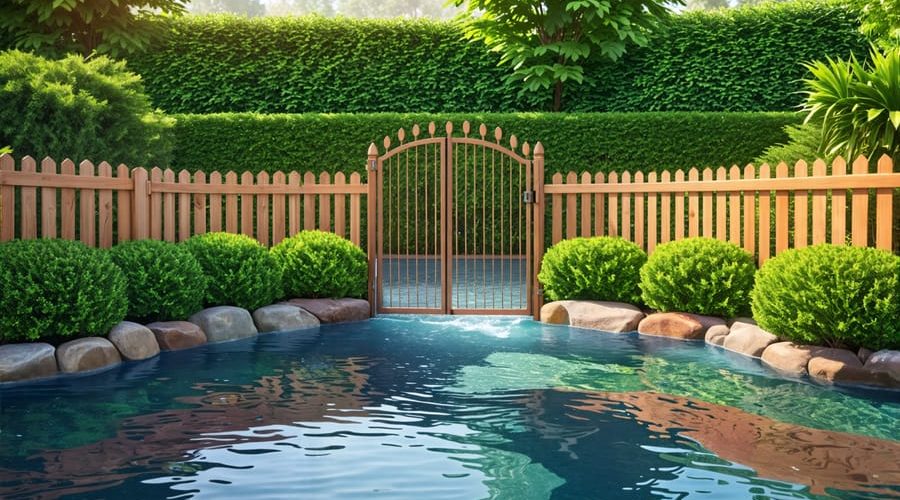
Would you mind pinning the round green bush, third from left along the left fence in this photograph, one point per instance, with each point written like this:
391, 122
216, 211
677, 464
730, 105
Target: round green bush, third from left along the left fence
239, 271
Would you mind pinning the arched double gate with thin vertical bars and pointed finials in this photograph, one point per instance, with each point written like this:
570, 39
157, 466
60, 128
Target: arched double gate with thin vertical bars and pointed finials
454, 223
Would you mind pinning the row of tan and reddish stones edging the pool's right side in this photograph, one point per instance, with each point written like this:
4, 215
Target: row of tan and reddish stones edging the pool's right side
742, 336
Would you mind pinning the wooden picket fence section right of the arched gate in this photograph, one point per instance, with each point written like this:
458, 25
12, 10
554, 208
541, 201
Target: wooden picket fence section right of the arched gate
762, 212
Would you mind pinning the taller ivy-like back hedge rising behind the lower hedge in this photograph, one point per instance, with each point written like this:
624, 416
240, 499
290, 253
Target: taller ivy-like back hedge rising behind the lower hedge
733, 60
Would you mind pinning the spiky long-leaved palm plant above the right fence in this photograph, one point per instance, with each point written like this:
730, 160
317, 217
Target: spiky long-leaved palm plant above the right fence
857, 104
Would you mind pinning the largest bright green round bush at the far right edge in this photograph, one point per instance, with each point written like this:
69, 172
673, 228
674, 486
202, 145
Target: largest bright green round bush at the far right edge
833, 295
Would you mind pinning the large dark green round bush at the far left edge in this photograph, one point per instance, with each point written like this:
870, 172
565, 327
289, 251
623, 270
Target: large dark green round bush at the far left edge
58, 288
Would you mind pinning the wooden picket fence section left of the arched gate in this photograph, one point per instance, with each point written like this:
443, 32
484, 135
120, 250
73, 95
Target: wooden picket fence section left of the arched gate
102, 206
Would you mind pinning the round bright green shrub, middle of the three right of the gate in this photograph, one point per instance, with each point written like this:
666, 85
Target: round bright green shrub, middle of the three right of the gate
698, 275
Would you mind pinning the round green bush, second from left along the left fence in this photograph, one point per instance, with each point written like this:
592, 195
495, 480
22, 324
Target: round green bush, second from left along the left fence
165, 281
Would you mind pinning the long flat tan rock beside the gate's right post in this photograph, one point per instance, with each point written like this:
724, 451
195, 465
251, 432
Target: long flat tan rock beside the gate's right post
614, 317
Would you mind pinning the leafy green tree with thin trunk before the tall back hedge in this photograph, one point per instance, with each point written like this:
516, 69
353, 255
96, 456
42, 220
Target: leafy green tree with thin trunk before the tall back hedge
546, 42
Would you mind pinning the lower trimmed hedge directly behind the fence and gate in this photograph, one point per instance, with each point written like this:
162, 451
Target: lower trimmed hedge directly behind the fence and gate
594, 142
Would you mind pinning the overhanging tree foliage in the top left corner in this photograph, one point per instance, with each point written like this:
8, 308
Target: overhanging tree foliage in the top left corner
55, 27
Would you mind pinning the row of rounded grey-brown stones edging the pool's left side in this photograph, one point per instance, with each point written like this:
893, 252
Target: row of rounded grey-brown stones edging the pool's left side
132, 341
